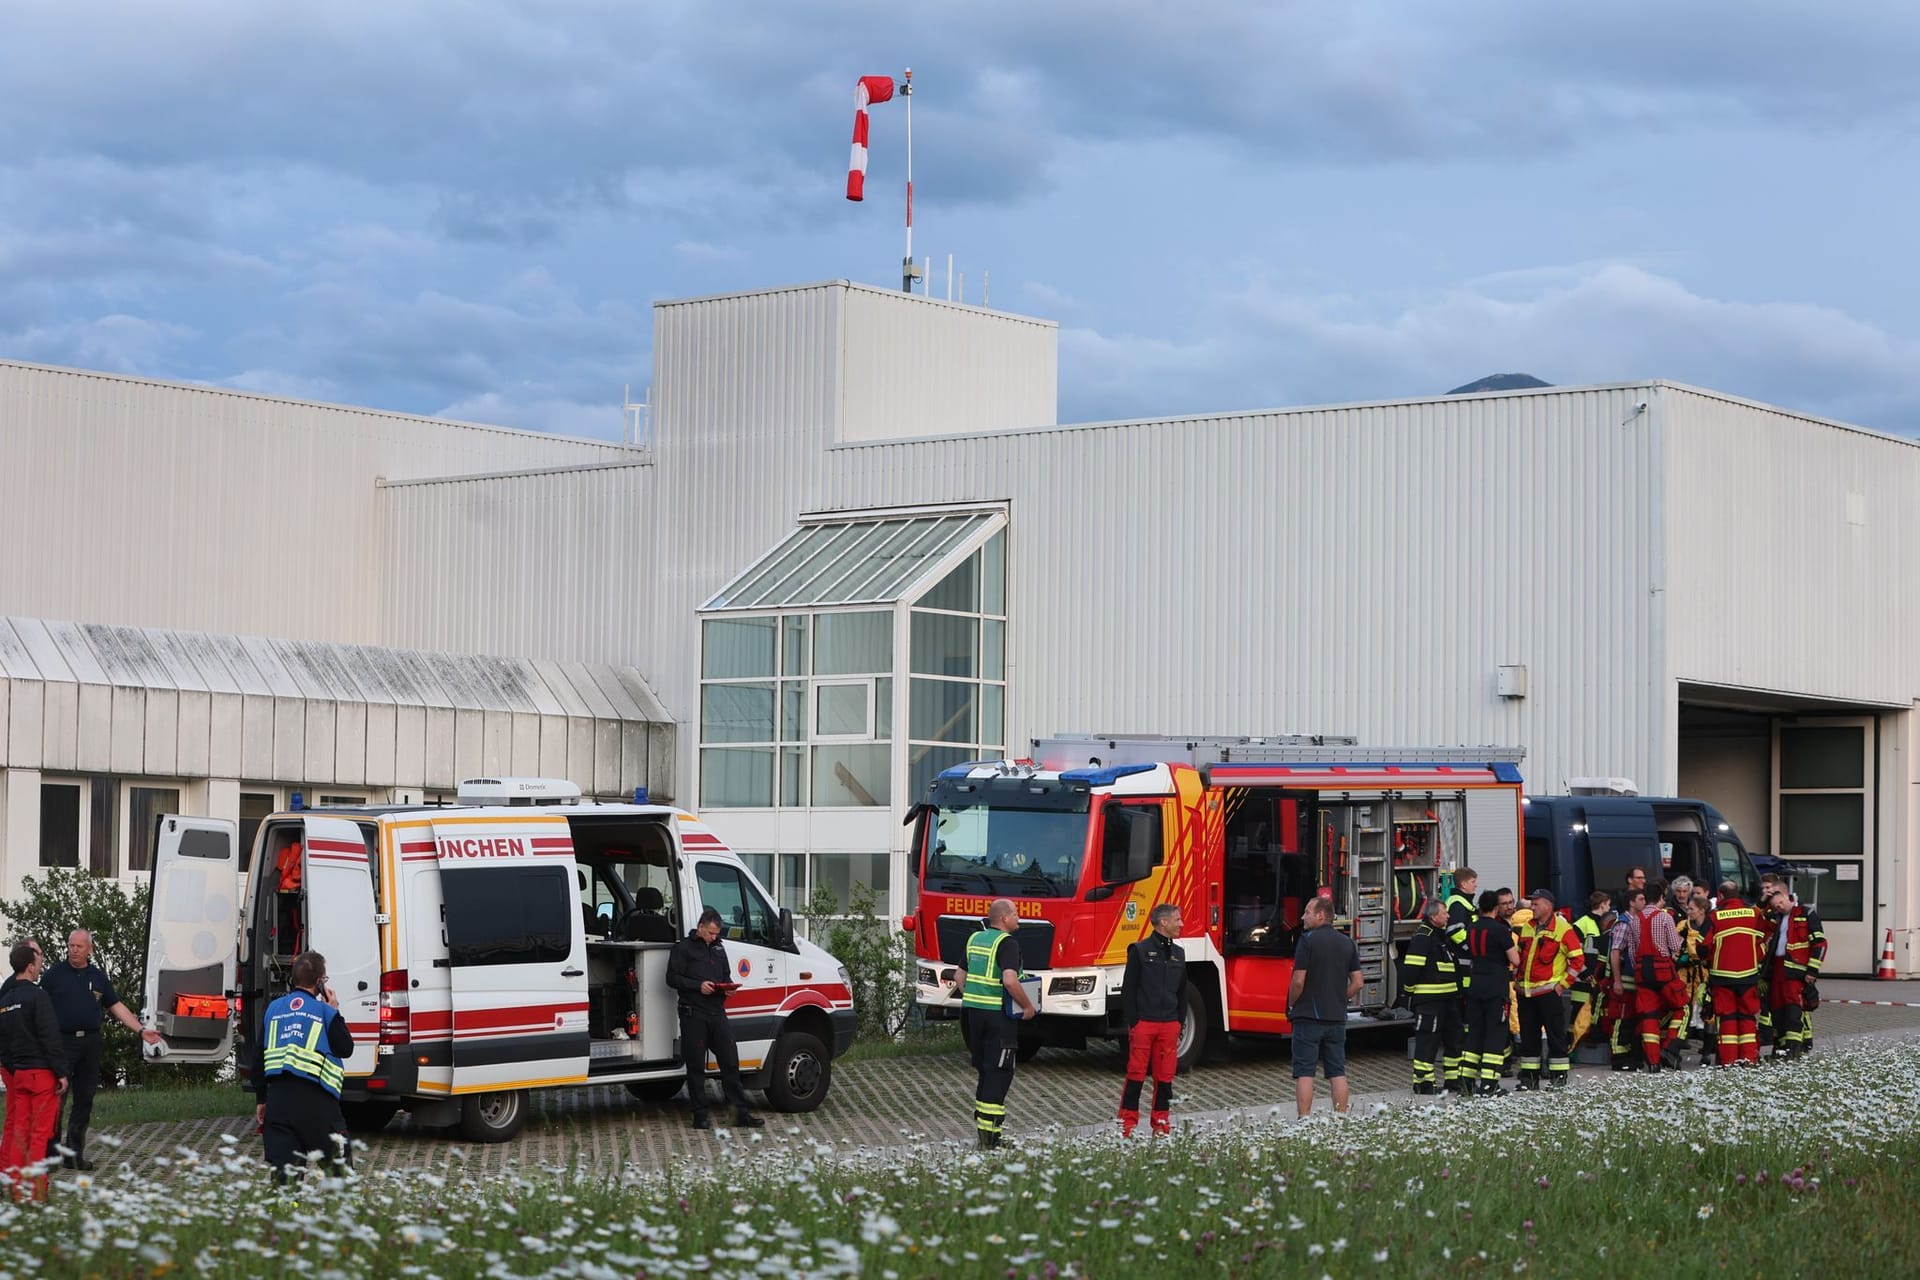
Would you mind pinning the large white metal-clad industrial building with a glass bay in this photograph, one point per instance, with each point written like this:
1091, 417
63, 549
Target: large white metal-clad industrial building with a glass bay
855, 548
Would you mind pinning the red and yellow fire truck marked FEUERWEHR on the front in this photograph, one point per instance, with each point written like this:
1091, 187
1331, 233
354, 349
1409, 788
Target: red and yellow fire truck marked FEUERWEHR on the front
1241, 832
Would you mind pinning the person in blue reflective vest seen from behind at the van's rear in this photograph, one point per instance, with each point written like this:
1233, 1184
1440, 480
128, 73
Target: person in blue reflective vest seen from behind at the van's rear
299, 1070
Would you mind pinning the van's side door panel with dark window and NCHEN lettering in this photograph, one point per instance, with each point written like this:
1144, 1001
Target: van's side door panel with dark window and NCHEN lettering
517, 951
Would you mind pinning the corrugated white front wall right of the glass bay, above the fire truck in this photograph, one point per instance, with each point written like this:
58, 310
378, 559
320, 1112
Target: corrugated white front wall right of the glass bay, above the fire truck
1330, 571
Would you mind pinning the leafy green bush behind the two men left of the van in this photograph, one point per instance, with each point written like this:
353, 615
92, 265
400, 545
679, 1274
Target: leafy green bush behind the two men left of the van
60, 901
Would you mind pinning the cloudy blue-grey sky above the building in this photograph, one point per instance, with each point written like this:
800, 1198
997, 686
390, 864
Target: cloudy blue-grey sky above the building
468, 206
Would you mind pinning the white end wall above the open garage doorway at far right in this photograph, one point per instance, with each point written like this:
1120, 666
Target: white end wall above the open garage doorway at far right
1792, 542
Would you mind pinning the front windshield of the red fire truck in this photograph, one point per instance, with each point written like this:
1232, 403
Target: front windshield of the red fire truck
1024, 840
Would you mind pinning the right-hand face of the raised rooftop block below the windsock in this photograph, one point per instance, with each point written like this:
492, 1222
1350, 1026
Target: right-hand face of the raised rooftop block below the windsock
924, 367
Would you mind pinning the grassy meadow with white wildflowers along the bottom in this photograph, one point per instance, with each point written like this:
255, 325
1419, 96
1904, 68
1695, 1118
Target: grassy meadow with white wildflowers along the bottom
1779, 1172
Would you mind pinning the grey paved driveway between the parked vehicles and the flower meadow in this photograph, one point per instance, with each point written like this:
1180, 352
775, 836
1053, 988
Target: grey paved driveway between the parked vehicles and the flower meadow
919, 1099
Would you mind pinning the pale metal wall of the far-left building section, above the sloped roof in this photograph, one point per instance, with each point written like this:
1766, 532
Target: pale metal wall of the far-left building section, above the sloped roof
168, 506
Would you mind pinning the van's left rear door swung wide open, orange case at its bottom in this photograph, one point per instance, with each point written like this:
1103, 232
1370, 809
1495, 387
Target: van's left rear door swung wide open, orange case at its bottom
193, 932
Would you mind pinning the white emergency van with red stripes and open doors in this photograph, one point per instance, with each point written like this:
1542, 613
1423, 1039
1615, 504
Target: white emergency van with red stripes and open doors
506, 943
